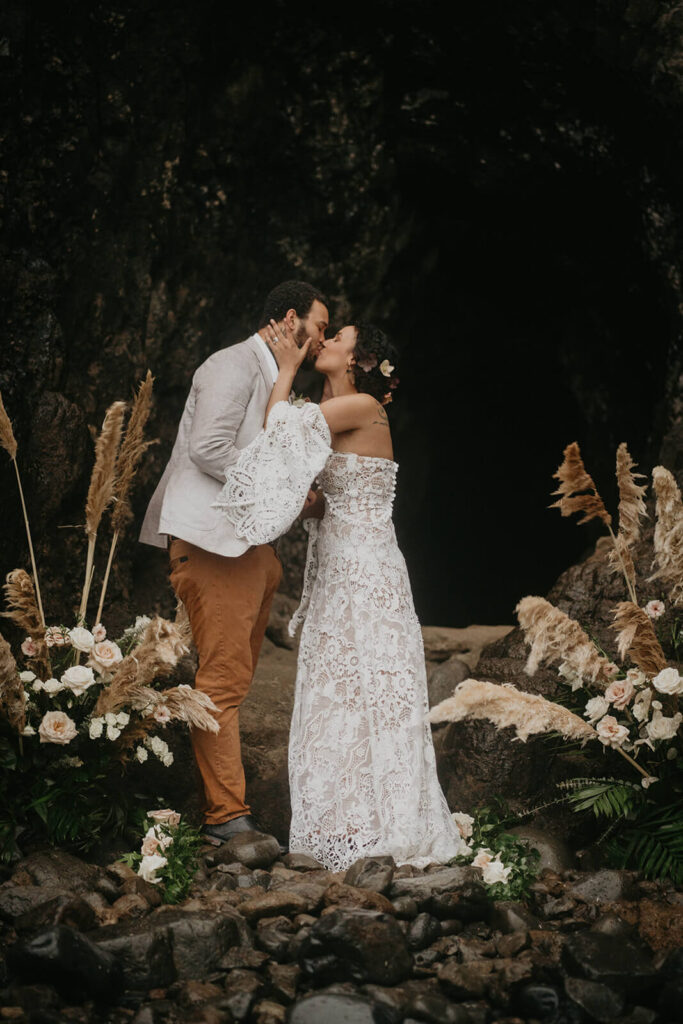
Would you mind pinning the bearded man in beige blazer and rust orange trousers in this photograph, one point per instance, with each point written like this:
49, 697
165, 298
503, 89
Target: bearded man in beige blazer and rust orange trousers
226, 585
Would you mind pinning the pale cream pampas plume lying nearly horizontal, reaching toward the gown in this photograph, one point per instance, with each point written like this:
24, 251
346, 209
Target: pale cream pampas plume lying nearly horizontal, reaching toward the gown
505, 706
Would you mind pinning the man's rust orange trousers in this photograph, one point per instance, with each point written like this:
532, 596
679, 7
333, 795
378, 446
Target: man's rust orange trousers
228, 602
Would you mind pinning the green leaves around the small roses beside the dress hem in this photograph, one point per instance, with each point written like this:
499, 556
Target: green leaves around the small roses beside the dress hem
489, 832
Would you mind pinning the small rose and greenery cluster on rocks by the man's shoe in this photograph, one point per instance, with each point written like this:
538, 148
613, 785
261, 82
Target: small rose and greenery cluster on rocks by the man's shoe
168, 857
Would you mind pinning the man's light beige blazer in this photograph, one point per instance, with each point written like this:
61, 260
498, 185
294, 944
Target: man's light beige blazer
224, 413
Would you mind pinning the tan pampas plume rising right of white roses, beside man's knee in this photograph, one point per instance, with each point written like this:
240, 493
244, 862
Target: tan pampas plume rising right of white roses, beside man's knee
154, 659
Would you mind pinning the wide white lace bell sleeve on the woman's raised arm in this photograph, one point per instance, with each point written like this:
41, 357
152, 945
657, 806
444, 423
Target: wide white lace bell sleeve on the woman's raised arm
267, 488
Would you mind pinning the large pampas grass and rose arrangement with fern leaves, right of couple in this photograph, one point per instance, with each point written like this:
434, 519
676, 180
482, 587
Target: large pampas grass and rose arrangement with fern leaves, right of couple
630, 706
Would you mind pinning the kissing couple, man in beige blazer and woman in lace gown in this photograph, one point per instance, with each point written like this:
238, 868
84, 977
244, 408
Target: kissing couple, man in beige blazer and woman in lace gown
362, 764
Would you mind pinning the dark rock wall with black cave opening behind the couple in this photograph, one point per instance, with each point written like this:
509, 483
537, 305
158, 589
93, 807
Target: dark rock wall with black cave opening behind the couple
498, 186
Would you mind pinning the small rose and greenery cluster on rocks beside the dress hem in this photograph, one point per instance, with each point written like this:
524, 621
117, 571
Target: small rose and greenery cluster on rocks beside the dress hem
507, 864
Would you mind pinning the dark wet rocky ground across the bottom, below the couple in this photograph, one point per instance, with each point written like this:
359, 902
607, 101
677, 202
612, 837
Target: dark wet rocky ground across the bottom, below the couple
267, 938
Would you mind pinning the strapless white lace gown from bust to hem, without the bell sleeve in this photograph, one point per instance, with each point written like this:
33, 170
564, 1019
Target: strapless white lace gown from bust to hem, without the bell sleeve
363, 771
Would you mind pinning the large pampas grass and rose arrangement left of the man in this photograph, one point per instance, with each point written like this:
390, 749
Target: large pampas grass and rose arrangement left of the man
82, 708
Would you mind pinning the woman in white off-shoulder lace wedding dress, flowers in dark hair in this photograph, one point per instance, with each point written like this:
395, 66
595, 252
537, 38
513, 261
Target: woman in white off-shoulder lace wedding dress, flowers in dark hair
363, 772
